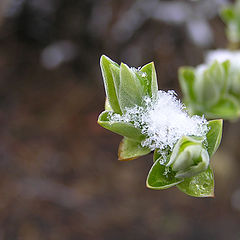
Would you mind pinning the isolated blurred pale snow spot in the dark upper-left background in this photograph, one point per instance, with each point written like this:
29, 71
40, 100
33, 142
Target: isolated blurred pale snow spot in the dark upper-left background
57, 53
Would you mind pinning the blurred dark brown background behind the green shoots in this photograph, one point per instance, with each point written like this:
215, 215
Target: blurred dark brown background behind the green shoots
59, 174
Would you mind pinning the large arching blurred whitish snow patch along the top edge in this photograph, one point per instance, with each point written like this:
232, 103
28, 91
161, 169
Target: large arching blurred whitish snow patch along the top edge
192, 14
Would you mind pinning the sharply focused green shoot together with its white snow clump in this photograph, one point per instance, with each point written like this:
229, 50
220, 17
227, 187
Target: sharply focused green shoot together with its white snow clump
153, 120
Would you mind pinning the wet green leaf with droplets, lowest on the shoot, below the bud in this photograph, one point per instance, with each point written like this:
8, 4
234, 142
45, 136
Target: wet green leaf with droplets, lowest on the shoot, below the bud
201, 185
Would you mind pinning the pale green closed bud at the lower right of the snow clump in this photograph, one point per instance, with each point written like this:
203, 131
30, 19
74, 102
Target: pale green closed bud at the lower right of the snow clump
189, 157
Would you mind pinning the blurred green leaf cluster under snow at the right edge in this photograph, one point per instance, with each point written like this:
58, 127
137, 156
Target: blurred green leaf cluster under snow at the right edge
209, 90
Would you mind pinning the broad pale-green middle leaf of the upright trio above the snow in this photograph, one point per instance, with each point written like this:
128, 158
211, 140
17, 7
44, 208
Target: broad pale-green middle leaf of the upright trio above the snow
130, 90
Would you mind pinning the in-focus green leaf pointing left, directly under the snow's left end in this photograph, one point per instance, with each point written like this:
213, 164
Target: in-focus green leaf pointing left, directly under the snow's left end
124, 129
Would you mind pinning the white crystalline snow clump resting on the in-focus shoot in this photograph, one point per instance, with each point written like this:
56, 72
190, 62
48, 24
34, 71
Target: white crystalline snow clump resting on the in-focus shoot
163, 121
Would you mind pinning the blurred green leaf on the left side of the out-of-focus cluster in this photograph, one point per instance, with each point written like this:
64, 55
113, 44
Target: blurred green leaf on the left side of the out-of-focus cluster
186, 78
